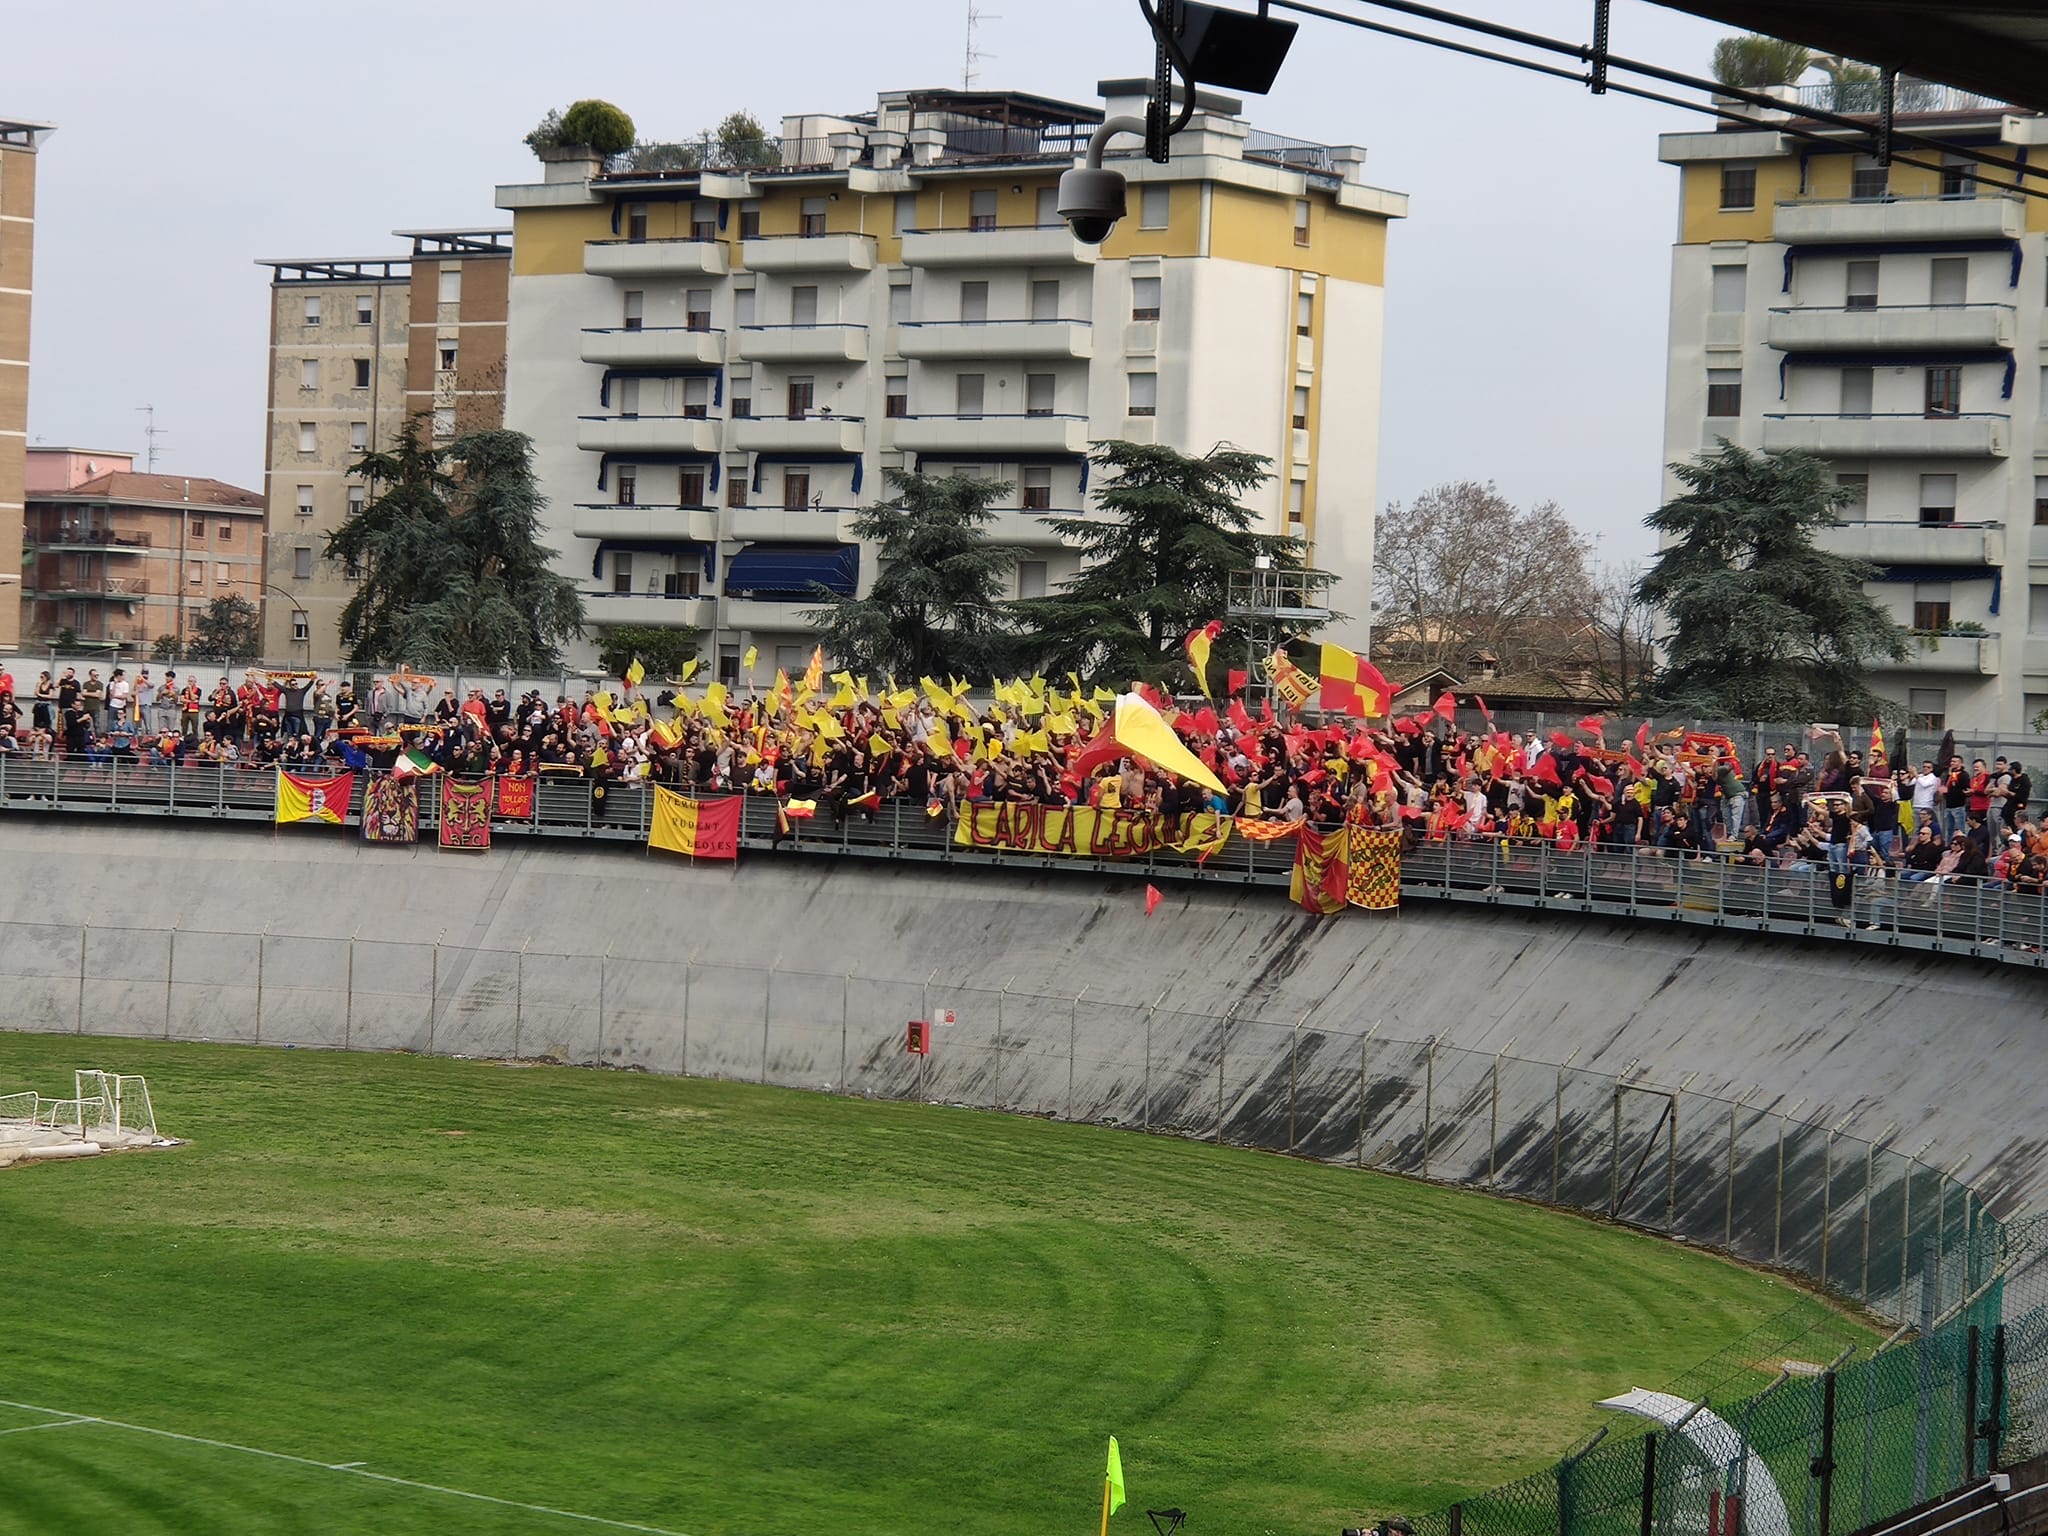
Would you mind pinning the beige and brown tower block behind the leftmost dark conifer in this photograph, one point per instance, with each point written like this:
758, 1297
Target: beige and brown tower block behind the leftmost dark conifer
357, 347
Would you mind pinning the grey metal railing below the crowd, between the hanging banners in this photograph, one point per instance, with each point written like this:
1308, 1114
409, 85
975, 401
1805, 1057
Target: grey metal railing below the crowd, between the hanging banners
1955, 916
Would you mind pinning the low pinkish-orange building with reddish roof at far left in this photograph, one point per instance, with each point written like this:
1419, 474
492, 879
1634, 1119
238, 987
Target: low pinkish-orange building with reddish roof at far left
120, 560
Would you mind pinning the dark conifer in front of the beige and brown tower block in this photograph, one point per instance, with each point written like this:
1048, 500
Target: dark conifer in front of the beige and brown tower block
447, 558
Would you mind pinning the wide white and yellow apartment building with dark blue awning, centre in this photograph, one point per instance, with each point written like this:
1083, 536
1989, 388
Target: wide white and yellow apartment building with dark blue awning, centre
722, 364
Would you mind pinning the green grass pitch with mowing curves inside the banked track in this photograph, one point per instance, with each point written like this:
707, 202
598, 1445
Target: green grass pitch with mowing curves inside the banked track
718, 1310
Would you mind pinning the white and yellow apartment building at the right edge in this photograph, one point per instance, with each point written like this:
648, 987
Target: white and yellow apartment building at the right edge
1891, 321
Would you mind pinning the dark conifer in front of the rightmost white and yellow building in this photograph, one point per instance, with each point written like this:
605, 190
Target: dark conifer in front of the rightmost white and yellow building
1764, 626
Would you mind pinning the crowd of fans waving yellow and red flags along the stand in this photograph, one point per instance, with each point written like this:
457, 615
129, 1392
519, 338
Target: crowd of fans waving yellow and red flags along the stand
1807, 806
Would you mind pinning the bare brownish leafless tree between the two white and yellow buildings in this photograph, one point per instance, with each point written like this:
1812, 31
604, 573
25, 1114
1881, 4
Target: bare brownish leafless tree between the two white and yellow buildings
1465, 570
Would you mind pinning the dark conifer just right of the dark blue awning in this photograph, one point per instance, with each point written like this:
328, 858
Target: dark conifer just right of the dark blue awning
939, 599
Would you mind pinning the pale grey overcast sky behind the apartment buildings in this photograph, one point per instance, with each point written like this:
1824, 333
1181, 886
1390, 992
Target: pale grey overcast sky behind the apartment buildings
1527, 292
